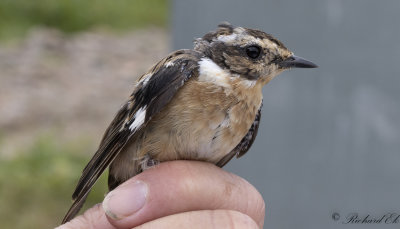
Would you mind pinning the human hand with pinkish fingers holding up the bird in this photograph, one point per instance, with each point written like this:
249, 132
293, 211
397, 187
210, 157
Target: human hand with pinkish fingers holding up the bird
178, 194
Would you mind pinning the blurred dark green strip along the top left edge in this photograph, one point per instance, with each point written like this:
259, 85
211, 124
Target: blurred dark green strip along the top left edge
18, 16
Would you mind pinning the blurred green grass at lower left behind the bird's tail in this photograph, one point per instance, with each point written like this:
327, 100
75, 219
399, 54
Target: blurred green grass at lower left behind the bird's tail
36, 185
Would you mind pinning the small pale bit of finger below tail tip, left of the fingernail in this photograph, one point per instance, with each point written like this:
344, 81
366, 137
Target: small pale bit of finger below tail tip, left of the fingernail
92, 218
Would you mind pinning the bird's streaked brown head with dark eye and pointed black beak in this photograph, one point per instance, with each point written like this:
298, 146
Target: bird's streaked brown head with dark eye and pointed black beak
249, 53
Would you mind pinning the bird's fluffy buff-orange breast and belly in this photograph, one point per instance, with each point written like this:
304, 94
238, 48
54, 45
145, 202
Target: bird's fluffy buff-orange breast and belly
202, 122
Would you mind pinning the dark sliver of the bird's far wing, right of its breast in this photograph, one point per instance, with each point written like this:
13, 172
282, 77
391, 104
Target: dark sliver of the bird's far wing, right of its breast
246, 142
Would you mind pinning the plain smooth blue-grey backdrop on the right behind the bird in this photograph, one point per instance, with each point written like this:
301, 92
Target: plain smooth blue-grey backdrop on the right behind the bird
329, 137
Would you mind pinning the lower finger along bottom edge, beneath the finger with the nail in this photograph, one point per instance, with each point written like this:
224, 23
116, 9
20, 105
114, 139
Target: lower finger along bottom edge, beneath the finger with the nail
203, 219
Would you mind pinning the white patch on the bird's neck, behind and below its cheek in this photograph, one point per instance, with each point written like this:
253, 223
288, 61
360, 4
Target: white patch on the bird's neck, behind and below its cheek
211, 72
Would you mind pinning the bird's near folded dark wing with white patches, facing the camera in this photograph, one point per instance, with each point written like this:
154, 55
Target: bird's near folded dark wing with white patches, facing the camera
153, 91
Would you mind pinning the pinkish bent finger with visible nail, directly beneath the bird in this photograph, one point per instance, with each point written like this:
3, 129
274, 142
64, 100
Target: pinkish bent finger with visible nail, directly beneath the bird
181, 186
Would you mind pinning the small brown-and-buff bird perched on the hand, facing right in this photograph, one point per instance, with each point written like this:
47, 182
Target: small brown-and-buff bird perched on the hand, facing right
195, 104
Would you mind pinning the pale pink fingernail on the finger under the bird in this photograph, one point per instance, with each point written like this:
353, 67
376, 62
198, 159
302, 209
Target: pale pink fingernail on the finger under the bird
125, 200
